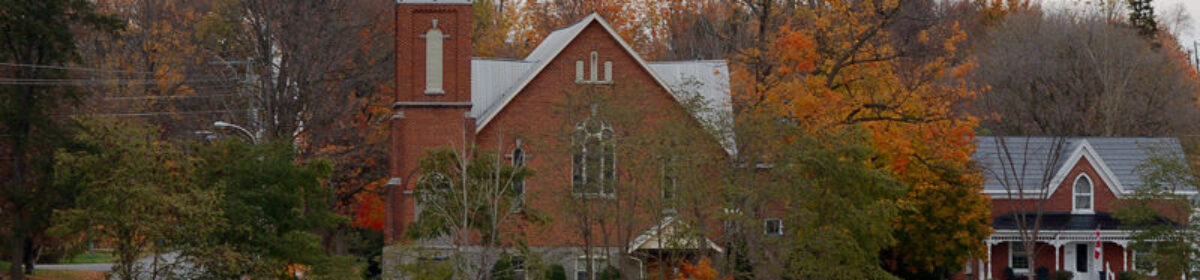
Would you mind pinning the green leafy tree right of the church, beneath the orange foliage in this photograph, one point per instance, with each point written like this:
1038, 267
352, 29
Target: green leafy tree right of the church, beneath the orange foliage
844, 205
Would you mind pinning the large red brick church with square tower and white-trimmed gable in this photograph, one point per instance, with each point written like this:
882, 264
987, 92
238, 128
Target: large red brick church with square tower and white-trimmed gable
446, 98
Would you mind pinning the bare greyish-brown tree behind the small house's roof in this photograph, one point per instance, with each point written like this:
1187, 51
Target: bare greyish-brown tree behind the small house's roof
1091, 76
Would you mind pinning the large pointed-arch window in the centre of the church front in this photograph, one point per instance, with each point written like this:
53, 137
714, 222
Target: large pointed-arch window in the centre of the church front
593, 158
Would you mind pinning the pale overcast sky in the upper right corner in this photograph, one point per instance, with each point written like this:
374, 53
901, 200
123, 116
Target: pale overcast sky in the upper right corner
1166, 11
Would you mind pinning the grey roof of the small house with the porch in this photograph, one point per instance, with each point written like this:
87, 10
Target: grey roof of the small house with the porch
1035, 162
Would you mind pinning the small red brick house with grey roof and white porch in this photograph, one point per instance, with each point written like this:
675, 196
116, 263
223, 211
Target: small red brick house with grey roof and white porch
1075, 186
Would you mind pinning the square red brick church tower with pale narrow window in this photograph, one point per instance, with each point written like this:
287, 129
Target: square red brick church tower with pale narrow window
434, 52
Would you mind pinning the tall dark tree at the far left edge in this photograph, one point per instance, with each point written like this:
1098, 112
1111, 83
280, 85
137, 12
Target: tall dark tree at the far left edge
40, 40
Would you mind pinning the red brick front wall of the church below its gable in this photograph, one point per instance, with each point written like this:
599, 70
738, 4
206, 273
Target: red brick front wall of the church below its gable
537, 116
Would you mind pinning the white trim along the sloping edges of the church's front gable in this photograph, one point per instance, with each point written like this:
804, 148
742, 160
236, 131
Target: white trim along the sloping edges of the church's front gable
542, 65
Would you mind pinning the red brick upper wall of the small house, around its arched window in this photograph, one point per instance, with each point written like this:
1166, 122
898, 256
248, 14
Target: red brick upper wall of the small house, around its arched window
1061, 200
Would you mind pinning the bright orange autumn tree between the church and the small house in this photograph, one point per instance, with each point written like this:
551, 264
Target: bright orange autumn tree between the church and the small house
871, 65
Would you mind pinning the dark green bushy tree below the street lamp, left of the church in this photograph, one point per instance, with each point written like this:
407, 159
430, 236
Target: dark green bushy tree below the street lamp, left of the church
273, 207
